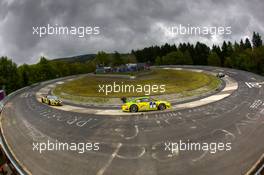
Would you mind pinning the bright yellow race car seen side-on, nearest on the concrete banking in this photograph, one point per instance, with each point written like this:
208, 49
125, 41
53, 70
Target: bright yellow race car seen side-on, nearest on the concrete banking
145, 104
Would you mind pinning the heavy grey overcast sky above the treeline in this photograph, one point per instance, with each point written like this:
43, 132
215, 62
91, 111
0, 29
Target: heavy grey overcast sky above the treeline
124, 24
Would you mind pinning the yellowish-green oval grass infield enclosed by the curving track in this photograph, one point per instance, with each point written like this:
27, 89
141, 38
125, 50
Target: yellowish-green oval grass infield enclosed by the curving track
176, 81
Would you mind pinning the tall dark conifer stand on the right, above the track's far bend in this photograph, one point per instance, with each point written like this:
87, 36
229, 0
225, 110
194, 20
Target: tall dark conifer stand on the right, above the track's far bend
246, 55
